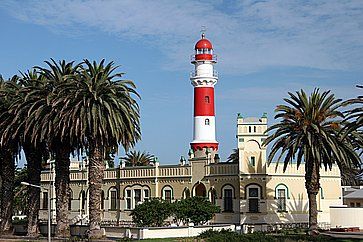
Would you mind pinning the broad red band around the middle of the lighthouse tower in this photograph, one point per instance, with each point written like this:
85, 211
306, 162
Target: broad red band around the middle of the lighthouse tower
203, 101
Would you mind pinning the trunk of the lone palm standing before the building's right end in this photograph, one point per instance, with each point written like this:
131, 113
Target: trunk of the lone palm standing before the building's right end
312, 185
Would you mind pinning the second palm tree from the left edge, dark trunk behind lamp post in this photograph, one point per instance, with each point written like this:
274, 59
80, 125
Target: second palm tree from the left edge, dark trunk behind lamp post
35, 152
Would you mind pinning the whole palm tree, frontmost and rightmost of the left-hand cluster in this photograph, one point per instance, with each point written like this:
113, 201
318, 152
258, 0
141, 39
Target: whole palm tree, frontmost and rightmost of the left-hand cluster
100, 113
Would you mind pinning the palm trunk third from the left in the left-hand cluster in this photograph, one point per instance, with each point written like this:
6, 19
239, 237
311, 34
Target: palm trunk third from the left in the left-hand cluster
62, 180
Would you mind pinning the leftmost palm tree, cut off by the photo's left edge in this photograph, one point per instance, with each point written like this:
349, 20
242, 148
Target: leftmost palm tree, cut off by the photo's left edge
9, 149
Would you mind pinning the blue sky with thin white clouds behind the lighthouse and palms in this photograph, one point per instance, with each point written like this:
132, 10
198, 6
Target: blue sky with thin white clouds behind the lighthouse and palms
265, 49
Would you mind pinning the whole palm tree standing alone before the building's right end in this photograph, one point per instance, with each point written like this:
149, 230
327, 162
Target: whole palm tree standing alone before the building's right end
309, 132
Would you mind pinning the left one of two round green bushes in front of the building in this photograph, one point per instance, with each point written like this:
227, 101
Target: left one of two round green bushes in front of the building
151, 213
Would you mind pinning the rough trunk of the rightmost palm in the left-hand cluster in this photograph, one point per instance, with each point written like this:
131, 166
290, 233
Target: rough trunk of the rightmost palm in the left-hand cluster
95, 176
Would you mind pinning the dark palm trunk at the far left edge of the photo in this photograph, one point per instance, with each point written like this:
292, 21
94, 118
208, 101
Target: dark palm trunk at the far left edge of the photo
8, 177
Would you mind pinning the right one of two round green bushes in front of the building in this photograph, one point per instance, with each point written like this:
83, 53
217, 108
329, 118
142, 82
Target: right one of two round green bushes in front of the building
195, 209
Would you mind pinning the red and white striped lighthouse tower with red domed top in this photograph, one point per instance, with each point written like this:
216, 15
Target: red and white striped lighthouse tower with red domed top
203, 78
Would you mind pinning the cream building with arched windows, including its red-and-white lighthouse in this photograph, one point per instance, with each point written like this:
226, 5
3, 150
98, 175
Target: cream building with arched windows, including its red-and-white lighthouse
248, 191
